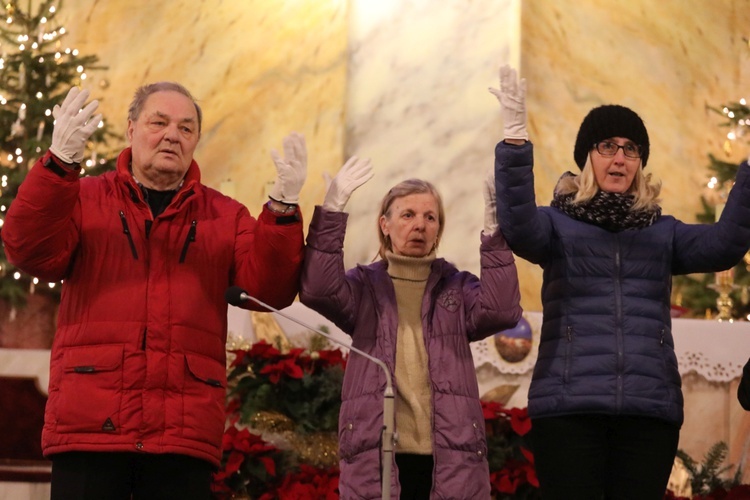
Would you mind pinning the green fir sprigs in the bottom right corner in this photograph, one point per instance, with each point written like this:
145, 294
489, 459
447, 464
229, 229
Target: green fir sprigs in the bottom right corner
706, 477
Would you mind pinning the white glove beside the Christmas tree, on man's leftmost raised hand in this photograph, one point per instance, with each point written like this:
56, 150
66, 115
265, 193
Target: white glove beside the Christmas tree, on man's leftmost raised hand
73, 126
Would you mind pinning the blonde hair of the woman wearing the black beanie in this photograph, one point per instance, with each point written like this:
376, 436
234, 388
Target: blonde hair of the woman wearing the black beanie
645, 192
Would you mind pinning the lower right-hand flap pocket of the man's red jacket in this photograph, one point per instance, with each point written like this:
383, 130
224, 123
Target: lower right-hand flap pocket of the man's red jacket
203, 398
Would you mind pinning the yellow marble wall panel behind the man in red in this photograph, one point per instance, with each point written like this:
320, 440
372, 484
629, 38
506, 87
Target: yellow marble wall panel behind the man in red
259, 69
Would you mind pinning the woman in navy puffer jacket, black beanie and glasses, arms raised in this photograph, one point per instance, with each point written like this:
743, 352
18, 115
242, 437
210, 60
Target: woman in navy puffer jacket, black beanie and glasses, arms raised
605, 398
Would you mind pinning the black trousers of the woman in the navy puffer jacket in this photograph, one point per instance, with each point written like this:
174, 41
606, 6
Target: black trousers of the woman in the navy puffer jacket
596, 457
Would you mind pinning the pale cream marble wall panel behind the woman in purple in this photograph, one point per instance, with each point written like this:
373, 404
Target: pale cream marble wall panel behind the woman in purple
418, 105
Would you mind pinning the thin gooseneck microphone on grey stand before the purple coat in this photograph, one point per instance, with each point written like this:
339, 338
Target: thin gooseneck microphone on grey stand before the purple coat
235, 296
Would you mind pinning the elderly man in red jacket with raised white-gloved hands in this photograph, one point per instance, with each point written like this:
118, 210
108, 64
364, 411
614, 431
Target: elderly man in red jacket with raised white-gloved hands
137, 378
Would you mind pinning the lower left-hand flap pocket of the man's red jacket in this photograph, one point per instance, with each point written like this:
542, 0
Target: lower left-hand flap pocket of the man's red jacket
90, 389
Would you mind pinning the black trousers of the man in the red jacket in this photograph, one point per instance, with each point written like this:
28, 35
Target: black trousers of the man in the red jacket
126, 476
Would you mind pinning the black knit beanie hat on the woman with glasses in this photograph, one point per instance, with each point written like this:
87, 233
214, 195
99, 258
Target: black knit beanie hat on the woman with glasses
608, 121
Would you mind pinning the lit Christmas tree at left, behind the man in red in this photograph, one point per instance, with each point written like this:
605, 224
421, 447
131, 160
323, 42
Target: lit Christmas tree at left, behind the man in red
36, 72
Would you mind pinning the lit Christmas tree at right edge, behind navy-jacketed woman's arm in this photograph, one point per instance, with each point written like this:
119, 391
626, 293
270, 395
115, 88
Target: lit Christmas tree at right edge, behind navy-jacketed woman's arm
698, 294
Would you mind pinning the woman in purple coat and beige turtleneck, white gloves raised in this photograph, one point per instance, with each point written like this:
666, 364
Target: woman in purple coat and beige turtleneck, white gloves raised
417, 313
